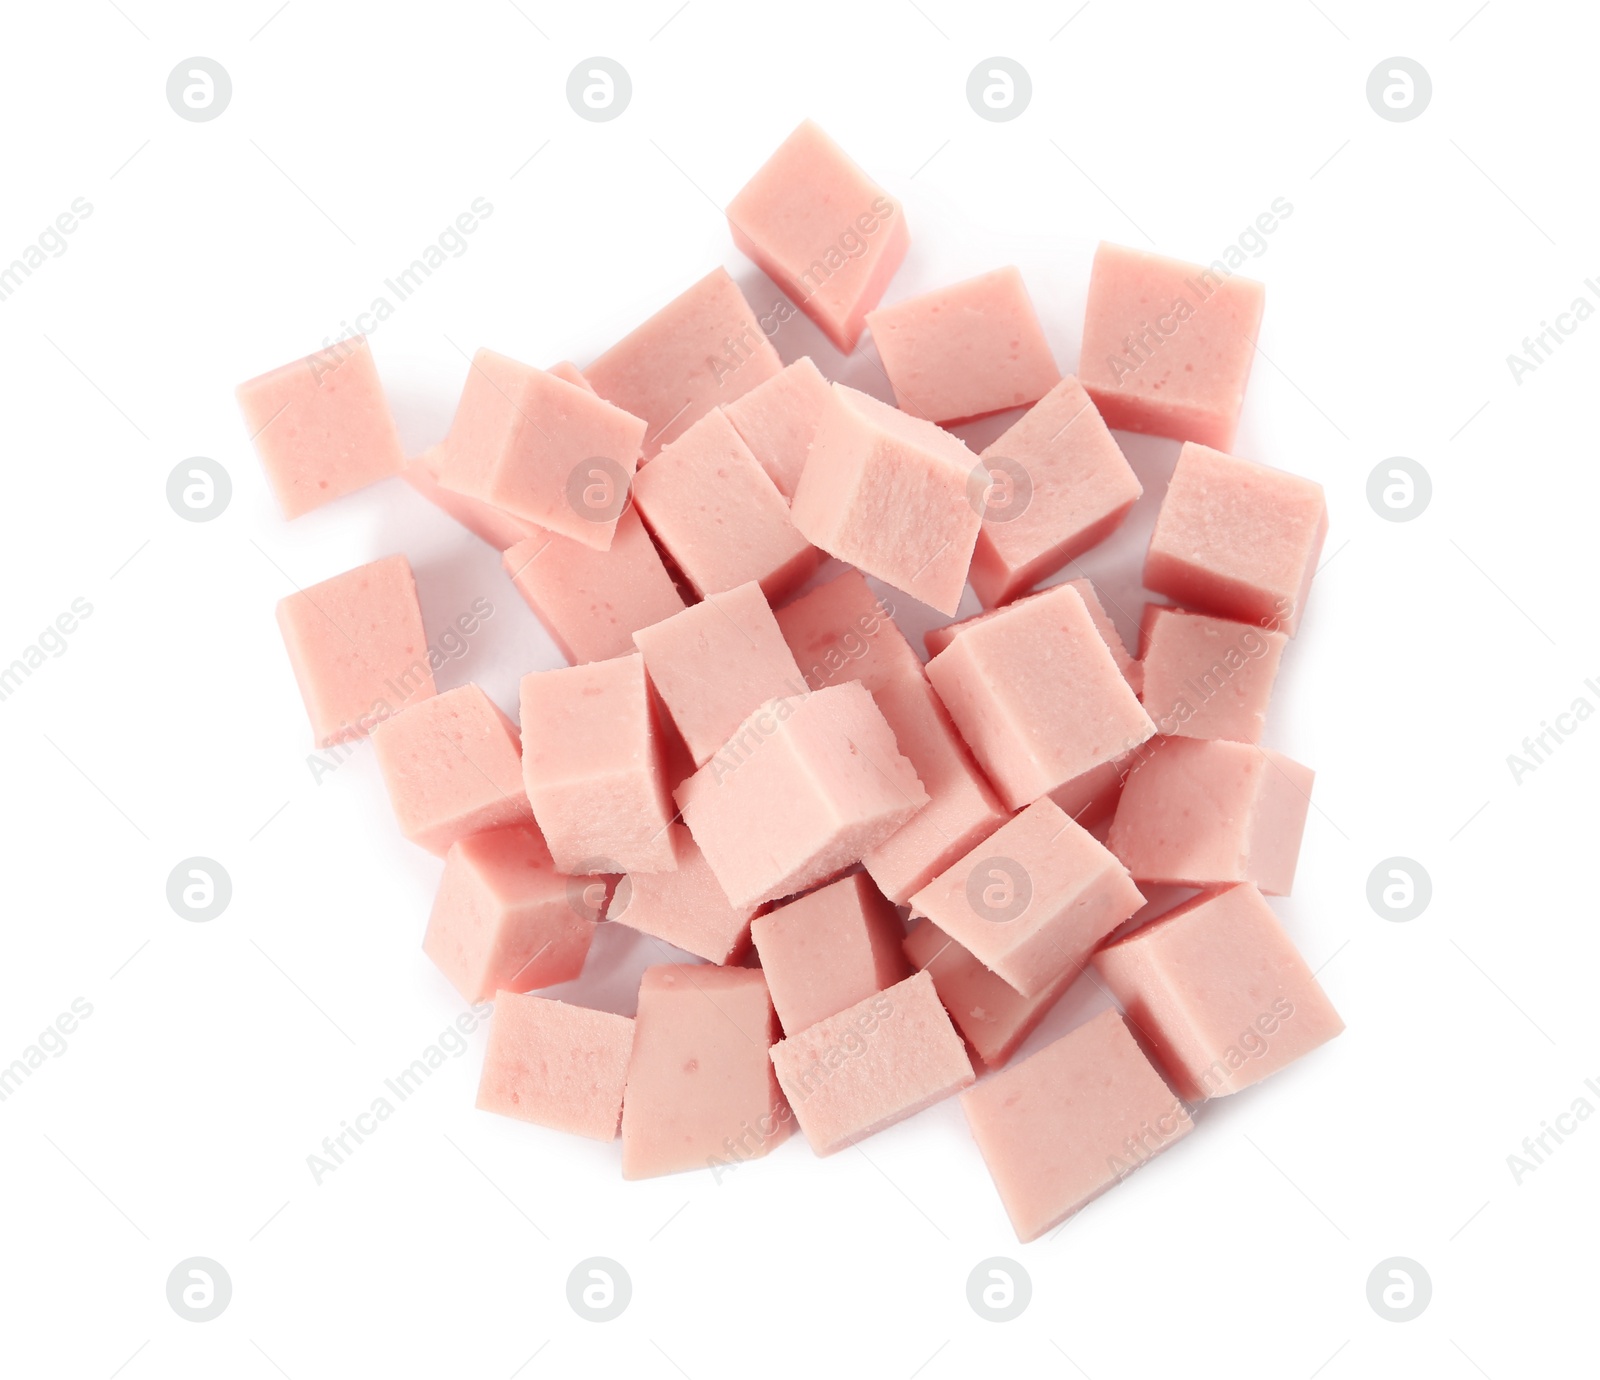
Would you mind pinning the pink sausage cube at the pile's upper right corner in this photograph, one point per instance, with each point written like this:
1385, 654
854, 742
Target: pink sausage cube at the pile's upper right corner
1167, 347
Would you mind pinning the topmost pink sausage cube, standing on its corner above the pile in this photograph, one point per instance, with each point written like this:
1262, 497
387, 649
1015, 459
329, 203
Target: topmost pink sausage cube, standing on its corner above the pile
823, 231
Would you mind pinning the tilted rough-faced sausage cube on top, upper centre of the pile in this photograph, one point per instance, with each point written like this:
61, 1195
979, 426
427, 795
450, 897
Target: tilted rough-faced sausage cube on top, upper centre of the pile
892, 494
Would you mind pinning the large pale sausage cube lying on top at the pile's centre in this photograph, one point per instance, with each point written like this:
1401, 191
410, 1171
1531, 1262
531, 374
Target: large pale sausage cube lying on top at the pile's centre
802, 792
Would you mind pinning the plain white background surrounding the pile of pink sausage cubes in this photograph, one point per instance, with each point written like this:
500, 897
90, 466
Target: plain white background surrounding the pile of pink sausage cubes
218, 1056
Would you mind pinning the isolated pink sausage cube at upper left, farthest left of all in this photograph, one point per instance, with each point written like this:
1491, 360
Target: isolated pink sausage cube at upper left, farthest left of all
322, 427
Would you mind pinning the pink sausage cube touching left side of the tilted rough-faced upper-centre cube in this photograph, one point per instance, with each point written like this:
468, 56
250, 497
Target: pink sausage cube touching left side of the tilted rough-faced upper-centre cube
718, 515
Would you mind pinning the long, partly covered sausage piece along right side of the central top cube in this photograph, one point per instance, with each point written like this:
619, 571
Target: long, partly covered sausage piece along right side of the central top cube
842, 632
